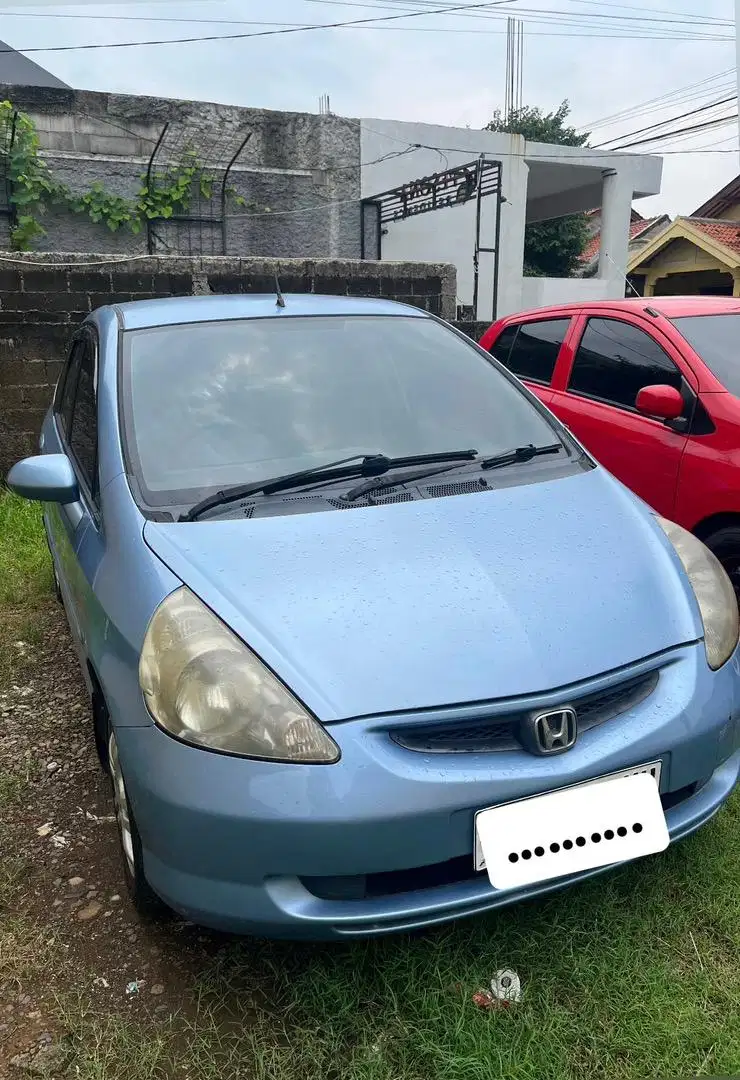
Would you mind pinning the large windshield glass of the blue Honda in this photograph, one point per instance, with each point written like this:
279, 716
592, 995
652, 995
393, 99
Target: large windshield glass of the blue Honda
208, 406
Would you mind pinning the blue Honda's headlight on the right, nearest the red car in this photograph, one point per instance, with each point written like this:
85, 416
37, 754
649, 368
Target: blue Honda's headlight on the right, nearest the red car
714, 590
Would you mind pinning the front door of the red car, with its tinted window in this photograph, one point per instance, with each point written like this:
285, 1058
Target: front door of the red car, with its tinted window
596, 398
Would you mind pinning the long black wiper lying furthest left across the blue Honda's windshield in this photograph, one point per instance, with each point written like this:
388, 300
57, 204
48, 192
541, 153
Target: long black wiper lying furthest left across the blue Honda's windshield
369, 465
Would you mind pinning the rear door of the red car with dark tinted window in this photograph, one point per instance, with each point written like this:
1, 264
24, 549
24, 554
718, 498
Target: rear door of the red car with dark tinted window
530, 349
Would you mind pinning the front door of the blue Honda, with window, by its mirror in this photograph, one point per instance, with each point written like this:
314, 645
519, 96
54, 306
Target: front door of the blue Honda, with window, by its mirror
75, 530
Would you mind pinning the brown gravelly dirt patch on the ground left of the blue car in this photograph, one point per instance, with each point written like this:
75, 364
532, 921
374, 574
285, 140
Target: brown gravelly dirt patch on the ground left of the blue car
69, 928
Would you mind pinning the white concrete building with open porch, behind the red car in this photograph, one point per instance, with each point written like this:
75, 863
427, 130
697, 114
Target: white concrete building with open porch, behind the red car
537, 182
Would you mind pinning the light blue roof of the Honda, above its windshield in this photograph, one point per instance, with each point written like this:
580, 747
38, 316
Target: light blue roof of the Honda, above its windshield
141, 315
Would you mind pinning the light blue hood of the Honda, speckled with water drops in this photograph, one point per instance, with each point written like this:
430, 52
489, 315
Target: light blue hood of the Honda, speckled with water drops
445, 601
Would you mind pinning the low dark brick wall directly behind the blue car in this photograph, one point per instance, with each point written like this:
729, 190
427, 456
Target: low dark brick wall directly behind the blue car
42, 305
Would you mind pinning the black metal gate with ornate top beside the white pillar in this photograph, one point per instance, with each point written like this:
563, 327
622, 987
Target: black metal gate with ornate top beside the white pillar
454, 187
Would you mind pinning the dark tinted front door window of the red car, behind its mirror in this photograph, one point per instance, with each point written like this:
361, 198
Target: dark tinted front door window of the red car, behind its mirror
616, 360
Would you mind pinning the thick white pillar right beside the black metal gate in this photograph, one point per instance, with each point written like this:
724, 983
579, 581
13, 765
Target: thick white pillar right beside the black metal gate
515, 182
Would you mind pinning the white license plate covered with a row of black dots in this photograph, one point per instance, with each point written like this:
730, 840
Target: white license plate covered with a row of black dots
609, 820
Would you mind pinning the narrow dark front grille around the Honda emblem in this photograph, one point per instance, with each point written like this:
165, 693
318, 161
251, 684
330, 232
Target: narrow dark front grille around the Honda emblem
497, 734
